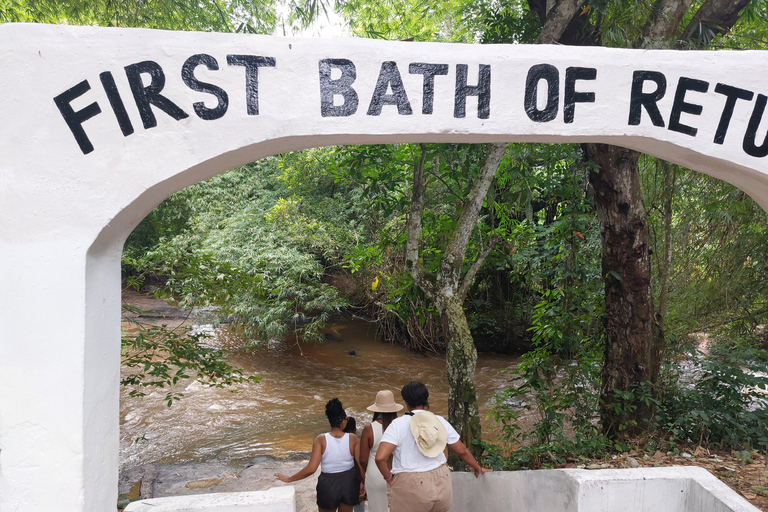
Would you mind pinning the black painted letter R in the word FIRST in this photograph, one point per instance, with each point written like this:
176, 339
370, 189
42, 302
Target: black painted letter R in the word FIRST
150, 95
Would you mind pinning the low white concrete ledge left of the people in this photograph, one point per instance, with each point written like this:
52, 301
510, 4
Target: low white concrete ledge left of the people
277, 499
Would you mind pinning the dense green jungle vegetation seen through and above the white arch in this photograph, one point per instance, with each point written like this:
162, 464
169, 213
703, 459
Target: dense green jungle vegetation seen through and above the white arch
539, 267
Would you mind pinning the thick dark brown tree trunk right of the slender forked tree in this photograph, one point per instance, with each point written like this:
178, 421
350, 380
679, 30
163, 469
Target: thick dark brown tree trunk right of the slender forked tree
629, 353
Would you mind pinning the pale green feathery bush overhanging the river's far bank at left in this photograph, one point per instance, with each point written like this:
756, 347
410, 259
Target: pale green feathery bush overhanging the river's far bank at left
256, 252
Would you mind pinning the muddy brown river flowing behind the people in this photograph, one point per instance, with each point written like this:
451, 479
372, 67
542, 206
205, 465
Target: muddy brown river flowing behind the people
282, 414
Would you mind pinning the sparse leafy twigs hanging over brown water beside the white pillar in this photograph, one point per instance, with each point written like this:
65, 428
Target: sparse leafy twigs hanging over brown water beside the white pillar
158, 357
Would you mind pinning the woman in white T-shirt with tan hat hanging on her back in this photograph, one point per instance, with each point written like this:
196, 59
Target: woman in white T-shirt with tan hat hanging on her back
419, 480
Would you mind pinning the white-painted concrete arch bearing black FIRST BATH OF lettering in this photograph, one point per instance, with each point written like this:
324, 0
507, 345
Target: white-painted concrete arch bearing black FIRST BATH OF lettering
64, 215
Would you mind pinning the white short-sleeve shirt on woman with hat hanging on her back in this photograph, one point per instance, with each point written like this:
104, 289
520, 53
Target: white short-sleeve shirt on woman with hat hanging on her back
407, 458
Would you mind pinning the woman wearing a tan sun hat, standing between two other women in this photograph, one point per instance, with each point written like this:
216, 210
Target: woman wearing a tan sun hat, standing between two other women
384, 412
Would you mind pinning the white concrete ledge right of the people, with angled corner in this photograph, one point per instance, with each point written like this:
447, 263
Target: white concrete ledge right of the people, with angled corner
672, 489
